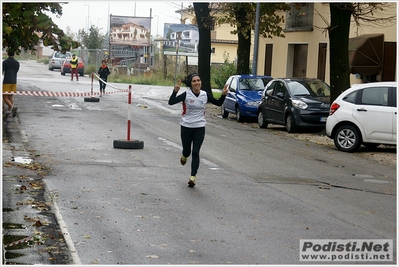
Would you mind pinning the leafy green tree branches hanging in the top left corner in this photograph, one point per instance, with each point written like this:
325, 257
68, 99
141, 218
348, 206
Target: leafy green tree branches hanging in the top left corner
24, 24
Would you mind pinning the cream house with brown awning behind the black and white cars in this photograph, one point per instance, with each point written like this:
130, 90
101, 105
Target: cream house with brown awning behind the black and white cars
304, 52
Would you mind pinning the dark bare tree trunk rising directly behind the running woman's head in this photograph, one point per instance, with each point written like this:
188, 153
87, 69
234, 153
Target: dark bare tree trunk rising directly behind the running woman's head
204, 46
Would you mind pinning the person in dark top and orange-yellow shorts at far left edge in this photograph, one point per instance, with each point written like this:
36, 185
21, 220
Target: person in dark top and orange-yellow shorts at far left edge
10, 70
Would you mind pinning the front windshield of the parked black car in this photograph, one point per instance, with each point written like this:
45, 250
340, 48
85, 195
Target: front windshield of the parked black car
309, 88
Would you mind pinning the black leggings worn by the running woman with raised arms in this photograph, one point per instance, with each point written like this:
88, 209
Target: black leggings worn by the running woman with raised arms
194, 136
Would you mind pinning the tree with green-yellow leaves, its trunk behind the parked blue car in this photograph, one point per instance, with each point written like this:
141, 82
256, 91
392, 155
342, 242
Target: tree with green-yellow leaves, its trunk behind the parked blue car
242, 16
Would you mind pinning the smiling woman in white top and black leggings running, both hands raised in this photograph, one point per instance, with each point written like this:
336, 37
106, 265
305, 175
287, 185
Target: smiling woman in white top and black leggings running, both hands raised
192, 122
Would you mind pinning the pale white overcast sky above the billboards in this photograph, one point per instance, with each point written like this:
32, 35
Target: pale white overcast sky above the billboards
76, 13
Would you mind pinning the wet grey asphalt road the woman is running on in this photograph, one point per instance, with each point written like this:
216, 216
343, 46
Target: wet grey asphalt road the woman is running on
258, 193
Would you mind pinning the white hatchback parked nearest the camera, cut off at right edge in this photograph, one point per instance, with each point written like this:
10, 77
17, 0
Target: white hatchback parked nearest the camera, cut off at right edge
364, 114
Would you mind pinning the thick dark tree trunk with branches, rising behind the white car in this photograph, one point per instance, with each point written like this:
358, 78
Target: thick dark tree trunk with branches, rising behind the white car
338, 31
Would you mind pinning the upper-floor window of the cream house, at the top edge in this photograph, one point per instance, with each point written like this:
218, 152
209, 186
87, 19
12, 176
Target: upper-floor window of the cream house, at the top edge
300, 17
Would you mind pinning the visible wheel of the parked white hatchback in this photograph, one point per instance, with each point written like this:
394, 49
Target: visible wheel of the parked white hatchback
347, 138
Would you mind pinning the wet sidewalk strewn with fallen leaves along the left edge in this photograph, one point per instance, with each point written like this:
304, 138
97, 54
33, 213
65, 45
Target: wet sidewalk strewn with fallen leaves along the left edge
31, 234
